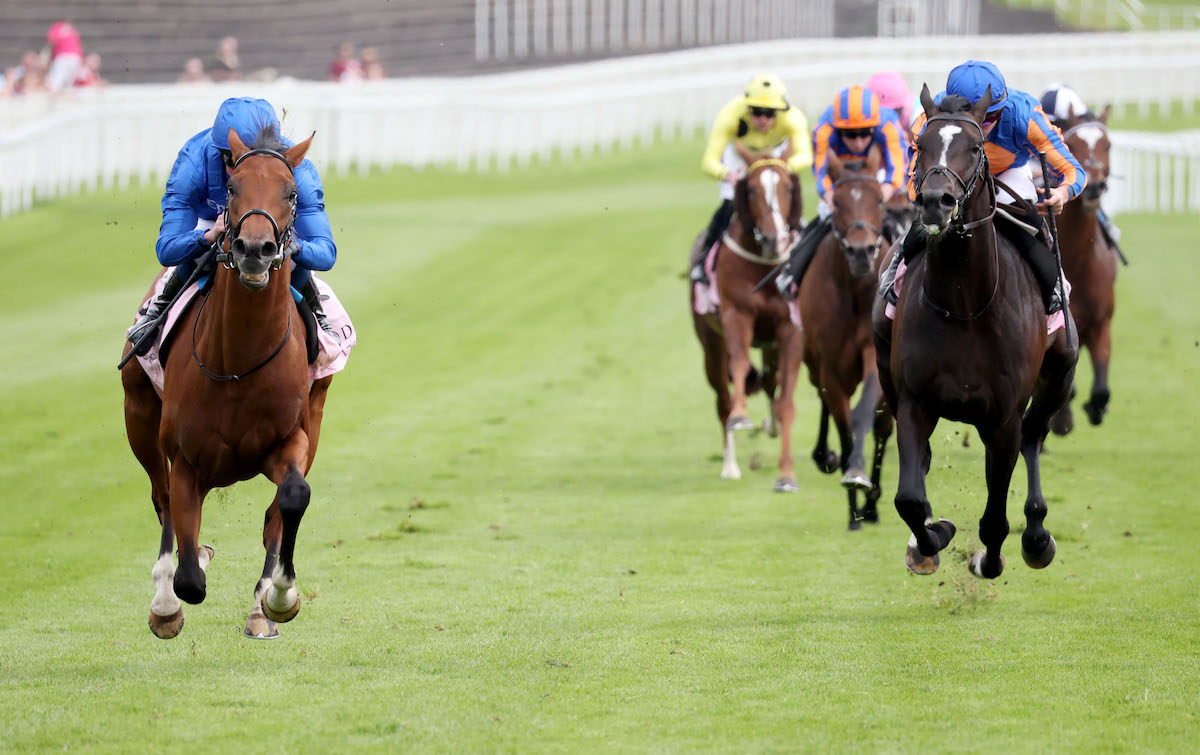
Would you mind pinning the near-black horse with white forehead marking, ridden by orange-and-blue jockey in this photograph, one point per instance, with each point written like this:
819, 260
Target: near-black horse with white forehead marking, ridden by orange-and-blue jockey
969, 343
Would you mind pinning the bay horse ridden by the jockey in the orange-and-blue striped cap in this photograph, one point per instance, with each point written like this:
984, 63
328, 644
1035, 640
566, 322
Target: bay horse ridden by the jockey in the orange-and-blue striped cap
836, 302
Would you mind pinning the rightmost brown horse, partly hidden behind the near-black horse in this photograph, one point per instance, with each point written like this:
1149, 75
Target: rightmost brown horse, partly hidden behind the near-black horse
1089, 262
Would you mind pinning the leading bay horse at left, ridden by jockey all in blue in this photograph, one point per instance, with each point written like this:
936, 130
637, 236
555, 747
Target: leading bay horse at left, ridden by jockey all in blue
237, 400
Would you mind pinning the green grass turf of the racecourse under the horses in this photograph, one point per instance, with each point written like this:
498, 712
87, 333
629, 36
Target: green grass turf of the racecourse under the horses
519, 541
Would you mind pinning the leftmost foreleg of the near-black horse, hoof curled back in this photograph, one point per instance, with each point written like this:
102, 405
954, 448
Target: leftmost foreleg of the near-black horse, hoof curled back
914, 428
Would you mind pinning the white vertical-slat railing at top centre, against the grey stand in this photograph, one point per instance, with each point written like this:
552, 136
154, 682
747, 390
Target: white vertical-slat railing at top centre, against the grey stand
520, 29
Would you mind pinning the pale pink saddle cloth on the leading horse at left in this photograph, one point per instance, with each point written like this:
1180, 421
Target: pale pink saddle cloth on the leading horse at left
332, 356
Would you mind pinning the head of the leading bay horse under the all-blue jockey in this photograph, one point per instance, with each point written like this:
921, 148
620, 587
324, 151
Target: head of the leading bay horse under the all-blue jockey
263, 199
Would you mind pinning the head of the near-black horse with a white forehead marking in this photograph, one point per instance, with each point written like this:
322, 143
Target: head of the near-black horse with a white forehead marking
952, 167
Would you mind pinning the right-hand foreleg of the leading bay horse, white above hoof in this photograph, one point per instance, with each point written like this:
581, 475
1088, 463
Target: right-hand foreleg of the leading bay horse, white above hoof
281, 602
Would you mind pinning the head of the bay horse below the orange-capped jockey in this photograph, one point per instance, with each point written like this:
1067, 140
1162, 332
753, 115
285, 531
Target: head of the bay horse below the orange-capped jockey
857, 202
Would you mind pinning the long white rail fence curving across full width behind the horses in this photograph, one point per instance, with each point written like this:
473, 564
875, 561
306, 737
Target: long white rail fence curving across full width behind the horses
56, 148
